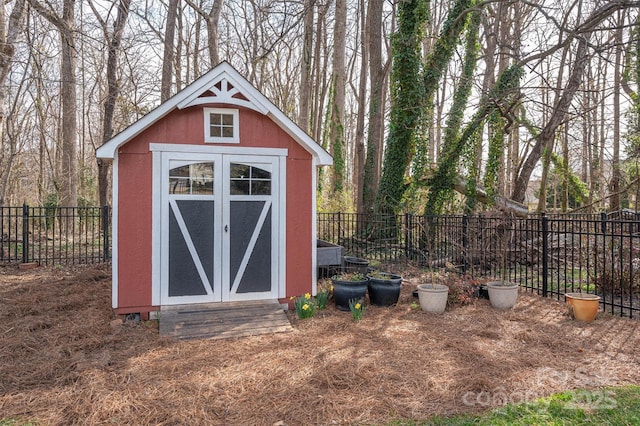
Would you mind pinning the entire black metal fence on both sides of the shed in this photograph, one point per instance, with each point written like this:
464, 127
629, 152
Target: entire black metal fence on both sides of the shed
548, 255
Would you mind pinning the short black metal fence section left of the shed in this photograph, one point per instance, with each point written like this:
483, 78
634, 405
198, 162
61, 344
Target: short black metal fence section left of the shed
55, 235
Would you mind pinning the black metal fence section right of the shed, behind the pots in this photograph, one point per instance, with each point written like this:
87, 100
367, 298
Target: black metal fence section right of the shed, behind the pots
548, 255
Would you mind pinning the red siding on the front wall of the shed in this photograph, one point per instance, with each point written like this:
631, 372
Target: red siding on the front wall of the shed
135, 199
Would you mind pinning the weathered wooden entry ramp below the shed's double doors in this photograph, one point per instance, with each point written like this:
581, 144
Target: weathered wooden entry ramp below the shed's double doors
223, 320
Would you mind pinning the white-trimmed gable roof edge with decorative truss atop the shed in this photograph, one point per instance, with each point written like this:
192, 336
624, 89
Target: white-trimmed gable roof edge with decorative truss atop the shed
222, 84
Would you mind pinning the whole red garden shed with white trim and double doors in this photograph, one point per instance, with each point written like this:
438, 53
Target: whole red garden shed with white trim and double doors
214, 196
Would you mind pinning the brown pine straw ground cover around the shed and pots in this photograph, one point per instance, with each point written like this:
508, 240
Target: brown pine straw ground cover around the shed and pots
64, 360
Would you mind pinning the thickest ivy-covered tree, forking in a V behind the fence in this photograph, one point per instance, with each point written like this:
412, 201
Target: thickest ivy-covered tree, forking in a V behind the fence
412, 89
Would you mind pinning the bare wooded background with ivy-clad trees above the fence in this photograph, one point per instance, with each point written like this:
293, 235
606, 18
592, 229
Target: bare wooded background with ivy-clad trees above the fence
447, 106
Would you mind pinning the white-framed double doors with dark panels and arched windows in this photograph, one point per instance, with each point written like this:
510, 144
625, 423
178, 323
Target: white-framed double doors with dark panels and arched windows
220, 228
